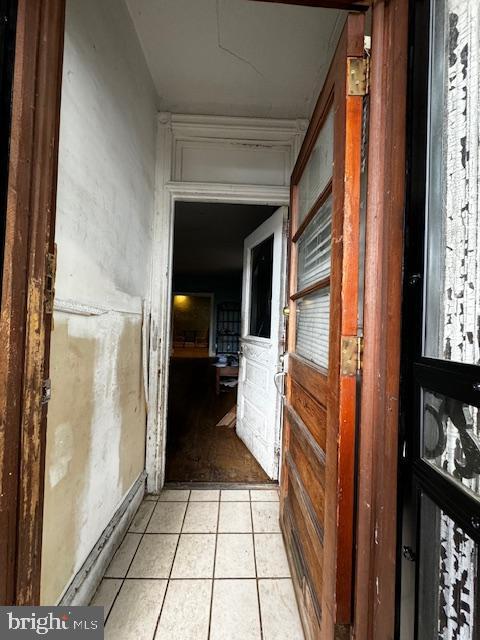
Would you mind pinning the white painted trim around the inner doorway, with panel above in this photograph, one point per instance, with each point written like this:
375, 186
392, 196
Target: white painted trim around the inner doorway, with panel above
268, 139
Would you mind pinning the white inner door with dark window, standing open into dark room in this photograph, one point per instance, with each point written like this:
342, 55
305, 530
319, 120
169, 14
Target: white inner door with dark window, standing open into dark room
262, 341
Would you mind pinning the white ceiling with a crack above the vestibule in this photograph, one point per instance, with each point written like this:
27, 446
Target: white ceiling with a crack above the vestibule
236, 57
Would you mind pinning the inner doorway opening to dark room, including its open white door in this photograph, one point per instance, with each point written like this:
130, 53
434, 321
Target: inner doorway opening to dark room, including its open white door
227, 284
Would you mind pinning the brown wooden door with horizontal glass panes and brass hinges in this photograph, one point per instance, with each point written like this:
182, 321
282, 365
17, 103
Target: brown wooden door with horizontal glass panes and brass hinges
317, 482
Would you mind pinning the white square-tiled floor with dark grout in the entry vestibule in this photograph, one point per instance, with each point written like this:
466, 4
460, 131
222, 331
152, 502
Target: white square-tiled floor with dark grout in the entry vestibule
201, 565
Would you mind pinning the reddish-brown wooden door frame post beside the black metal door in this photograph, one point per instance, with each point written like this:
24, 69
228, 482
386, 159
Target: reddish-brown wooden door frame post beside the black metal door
376, 548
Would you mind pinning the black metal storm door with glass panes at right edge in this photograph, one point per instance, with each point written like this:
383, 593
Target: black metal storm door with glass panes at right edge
439, 590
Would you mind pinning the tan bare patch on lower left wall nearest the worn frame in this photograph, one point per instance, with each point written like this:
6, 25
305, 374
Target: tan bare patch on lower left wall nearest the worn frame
69, 440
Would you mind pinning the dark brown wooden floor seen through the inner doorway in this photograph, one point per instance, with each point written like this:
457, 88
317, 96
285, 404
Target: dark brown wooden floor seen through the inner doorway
198, 450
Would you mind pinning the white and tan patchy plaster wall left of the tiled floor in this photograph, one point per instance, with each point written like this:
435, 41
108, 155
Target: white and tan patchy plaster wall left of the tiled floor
97, 415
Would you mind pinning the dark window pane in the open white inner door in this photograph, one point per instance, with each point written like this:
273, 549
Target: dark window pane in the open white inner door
261, 289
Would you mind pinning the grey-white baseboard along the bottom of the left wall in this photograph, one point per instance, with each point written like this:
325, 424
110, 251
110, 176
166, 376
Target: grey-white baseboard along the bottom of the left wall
83, 586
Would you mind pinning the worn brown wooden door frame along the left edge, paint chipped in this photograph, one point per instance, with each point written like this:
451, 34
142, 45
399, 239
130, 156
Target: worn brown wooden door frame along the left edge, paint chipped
24, 322
